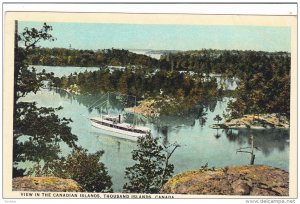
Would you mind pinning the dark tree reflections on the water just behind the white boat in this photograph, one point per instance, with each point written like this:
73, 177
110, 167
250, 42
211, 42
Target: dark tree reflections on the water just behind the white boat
118, 103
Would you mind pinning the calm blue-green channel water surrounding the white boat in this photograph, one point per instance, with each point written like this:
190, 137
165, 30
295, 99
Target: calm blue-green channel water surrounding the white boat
199, 144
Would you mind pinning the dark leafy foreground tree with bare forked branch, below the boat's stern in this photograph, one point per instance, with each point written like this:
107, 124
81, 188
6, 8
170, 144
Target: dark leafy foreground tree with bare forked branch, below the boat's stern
152, 169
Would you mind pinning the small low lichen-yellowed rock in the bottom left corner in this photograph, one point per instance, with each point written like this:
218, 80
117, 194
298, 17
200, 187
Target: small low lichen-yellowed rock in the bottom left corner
53, 184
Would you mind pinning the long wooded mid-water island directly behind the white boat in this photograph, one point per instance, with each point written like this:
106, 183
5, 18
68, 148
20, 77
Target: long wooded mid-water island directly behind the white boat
175, 91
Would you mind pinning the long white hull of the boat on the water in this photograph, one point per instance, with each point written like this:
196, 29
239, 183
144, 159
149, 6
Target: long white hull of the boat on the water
118, 132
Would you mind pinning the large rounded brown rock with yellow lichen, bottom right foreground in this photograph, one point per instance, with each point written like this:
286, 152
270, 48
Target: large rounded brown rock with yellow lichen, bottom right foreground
256, 180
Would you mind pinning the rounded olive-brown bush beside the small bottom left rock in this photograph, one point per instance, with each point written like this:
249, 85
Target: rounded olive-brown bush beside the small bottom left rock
86, 169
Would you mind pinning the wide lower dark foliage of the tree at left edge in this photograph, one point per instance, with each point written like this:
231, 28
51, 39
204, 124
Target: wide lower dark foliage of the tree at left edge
39, 133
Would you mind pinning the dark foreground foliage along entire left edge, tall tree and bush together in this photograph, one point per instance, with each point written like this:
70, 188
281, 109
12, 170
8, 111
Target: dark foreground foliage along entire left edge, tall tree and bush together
39, 132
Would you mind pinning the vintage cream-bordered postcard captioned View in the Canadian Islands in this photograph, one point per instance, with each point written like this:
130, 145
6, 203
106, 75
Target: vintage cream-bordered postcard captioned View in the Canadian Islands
126, 105
